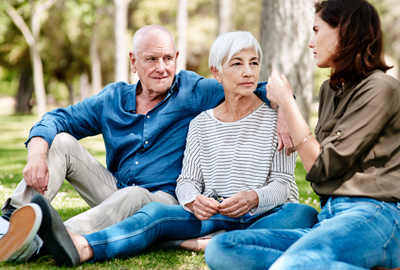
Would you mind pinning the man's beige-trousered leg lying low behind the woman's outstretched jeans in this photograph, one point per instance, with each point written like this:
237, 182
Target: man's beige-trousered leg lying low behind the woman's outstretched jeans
119, 206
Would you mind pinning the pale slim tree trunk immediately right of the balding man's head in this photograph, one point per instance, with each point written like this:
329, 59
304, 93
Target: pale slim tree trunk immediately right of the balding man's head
181, 26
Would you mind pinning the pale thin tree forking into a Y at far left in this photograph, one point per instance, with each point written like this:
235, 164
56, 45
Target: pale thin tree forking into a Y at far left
32, 38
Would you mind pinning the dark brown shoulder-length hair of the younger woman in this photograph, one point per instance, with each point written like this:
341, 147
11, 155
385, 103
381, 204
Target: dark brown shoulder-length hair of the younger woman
360, 45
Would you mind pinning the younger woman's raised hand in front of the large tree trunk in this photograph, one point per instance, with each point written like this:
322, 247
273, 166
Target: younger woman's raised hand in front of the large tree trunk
278, 88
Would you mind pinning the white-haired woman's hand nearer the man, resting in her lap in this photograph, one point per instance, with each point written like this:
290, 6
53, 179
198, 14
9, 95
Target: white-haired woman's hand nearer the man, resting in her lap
203, 207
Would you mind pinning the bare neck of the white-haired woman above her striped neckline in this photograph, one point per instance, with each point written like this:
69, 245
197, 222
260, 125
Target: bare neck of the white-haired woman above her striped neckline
236, 107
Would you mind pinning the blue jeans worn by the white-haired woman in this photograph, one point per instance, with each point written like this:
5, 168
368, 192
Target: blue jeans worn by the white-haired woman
156, 220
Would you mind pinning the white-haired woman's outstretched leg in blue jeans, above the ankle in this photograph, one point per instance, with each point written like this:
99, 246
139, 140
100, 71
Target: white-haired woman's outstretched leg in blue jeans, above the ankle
154, 221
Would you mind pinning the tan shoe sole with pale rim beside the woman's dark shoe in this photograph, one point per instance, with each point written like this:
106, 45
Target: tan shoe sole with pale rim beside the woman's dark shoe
24, 224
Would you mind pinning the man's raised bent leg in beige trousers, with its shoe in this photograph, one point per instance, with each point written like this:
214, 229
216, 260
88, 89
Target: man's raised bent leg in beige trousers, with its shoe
68, 159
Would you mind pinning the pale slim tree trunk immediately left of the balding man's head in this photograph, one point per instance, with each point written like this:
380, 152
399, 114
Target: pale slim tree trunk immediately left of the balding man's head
121, 23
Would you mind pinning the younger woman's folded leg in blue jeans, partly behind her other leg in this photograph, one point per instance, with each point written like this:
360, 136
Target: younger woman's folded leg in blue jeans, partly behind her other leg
249, 249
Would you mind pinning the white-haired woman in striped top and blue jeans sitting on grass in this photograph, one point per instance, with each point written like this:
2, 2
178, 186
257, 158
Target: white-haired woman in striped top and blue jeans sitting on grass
233, 177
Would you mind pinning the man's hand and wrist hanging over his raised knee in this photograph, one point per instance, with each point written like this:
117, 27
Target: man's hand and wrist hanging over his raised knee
36, 172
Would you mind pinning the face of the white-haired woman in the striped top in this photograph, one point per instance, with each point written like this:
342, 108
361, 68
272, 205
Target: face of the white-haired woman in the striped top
240, 74
